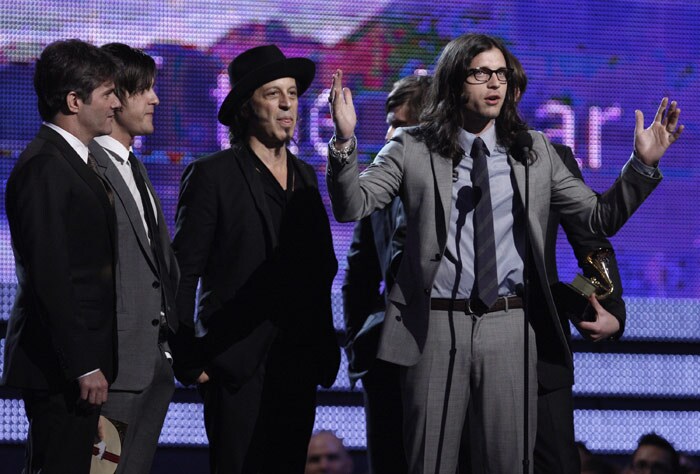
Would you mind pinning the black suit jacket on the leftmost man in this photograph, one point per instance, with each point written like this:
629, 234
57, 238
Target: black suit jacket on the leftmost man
62, 324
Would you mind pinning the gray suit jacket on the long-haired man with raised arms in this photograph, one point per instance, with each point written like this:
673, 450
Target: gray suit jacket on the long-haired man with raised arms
423, 180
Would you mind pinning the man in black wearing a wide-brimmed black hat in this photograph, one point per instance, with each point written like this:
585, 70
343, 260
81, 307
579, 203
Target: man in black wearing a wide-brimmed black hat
252, 231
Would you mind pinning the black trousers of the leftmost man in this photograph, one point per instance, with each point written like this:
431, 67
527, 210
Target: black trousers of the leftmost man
62, 431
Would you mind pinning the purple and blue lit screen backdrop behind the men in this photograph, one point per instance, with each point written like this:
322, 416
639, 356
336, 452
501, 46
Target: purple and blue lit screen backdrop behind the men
590, 64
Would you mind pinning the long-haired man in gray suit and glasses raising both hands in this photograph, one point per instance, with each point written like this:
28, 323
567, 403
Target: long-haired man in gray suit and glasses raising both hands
454, 320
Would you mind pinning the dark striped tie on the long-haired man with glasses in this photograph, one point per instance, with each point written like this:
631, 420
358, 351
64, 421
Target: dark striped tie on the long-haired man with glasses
485, 272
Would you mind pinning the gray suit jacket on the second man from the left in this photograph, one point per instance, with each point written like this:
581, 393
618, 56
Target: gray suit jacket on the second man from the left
138, 285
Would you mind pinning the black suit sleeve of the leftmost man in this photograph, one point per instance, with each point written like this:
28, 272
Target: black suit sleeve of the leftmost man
42, 197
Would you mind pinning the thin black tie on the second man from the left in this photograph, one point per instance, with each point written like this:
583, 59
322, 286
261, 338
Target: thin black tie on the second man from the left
156, 247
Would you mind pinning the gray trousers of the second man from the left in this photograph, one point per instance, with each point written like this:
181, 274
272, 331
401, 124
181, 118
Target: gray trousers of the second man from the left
144, 412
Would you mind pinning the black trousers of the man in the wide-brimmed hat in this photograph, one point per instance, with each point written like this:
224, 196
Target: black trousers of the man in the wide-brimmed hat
265, 425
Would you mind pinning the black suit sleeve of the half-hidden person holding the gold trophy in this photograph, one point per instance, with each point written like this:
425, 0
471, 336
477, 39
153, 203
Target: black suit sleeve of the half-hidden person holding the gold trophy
583, 241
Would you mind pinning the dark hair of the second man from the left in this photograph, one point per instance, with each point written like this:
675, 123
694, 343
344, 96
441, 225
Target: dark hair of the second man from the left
136, 70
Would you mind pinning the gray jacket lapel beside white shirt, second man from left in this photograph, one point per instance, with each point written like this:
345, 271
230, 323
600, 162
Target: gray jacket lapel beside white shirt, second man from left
121, 190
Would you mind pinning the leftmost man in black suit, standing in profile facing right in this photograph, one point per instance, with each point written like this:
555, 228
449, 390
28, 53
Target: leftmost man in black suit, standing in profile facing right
60, 347
